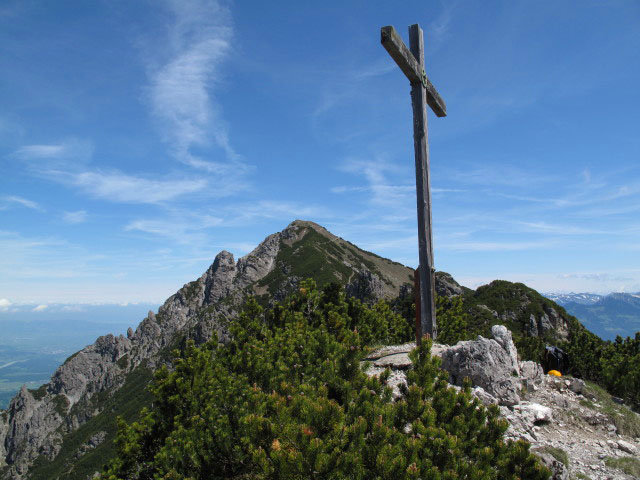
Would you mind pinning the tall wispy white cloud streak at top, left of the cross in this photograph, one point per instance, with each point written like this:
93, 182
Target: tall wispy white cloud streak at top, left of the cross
182, 89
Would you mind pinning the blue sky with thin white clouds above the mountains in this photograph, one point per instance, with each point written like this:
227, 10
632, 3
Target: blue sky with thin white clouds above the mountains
138, 139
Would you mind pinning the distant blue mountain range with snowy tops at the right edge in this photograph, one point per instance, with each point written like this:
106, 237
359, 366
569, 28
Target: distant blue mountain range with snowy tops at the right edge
605, 315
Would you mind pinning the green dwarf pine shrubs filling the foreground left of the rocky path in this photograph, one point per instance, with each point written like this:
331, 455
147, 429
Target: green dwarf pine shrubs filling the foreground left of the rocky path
287, 399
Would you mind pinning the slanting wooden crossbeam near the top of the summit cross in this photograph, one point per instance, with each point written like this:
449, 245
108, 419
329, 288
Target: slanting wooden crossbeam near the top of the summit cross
393, 44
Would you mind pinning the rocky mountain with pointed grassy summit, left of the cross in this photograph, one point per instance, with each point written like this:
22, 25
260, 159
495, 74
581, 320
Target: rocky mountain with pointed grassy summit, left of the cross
36, 422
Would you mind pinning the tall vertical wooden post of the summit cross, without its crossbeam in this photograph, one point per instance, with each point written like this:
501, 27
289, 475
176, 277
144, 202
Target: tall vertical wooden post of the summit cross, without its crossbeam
423, 190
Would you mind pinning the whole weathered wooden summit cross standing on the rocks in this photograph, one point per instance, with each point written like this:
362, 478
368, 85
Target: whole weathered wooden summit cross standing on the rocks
411, 62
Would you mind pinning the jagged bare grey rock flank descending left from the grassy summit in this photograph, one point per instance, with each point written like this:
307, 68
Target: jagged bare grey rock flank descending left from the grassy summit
33, 425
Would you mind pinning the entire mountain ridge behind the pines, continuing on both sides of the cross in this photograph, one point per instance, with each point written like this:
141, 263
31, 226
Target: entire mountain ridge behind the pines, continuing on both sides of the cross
64, 428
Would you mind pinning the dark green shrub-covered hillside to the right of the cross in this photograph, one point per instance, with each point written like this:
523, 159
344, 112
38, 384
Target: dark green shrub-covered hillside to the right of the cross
614, 365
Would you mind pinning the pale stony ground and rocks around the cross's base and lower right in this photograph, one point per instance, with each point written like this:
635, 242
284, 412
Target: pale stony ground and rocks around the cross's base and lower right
571, 429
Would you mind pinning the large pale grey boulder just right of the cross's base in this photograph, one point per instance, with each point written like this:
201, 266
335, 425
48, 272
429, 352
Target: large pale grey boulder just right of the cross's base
489, 364
